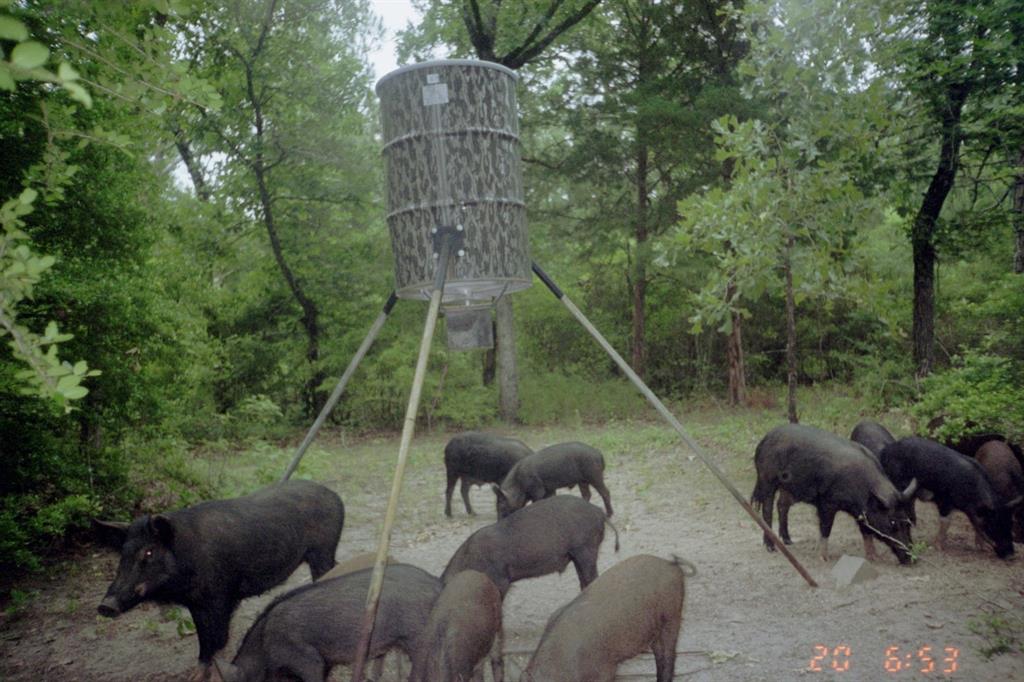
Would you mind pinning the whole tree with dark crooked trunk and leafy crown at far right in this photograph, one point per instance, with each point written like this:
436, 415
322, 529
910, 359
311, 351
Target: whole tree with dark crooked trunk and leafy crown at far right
955, 60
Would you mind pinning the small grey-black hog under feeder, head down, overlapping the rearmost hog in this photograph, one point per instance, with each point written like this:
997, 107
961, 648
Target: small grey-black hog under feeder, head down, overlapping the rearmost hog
539, 476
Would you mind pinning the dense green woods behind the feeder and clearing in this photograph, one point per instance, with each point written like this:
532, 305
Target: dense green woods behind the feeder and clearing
743, 197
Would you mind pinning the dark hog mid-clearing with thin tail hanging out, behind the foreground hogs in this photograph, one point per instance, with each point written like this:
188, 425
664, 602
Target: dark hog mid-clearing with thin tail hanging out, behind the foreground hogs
538, 540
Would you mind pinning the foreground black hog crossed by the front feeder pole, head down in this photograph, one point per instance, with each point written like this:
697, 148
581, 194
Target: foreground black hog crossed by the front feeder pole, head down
310, 630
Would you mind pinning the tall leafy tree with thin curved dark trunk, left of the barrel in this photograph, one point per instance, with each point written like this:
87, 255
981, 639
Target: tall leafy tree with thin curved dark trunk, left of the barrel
288, 146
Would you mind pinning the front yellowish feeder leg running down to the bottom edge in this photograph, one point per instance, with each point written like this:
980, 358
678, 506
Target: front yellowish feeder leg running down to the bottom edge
377, 579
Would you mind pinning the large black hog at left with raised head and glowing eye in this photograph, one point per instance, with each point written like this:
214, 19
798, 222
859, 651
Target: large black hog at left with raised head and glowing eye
211, 557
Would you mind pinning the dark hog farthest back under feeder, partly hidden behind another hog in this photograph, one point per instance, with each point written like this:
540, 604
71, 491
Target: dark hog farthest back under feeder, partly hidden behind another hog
479, 459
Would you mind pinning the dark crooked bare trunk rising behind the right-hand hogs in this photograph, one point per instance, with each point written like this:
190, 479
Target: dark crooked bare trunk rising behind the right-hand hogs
923, 232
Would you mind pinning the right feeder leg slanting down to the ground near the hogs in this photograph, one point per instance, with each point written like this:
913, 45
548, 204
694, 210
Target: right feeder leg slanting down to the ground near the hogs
673, 422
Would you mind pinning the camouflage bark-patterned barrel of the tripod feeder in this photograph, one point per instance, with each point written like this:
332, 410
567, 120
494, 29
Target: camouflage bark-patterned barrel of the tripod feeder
452, 159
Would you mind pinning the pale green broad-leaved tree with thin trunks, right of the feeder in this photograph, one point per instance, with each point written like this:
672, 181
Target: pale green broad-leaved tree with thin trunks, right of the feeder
797, 188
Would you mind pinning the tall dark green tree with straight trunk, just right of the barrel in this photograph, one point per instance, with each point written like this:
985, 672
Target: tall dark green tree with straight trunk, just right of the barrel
642, 83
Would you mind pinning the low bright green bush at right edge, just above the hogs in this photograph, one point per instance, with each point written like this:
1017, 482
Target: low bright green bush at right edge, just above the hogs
980, 393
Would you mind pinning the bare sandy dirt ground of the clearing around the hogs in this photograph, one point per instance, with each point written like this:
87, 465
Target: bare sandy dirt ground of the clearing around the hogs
749, 616
